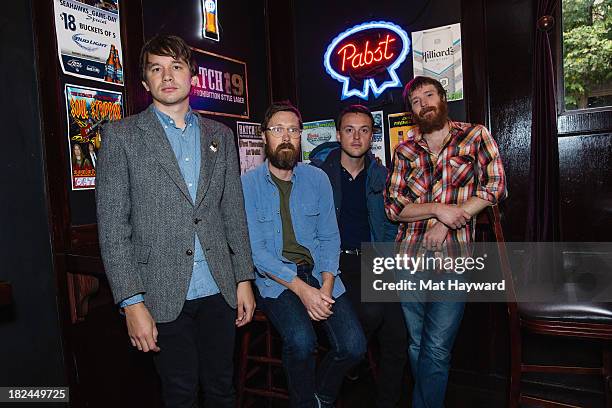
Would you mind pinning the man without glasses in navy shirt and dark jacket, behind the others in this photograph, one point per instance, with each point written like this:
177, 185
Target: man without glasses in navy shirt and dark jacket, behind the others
358, 181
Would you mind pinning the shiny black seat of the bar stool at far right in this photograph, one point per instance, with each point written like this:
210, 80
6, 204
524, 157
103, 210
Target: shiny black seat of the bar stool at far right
580, 312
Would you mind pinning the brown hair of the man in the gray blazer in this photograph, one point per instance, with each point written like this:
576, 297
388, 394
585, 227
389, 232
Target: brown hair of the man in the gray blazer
167, 46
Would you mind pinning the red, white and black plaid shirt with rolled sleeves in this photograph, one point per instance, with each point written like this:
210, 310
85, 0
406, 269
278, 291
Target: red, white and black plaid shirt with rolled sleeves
468, 165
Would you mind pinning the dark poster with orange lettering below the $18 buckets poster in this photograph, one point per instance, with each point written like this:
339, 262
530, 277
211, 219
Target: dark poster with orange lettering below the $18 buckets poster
87, 109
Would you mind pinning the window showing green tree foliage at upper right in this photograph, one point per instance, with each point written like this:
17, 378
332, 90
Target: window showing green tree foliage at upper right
587, 54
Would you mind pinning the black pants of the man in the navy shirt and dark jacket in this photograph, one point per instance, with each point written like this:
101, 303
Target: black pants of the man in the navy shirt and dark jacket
386, 322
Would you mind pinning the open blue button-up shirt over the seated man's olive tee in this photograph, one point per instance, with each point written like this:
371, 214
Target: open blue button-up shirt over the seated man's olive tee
314, 222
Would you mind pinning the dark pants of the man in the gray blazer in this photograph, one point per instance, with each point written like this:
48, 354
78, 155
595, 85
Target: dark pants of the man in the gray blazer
198, 349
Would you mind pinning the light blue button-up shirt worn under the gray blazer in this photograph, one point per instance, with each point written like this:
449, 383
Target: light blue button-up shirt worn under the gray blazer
186, 147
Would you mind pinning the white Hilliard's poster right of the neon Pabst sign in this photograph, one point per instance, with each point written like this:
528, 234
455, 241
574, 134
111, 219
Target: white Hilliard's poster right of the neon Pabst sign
437, 54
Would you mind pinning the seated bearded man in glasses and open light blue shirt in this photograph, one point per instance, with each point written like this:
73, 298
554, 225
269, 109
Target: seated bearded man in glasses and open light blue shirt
296, 246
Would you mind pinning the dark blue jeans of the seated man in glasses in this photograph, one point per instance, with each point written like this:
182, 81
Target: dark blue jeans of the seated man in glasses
290, 318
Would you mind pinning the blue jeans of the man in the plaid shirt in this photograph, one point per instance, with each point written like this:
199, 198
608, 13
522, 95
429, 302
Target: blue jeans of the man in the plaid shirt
433, 323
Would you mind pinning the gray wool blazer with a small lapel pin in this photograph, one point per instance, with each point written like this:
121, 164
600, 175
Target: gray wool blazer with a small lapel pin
147, 220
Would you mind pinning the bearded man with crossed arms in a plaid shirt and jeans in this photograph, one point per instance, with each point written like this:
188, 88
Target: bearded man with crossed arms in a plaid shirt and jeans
444, 174
